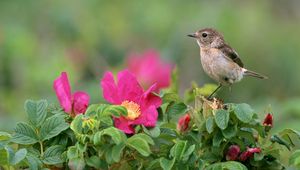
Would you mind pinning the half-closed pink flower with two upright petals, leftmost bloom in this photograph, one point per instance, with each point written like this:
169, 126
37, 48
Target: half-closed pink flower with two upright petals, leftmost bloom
72, 104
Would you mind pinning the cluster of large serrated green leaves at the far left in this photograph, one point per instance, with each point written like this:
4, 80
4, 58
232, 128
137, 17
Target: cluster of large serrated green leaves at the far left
40, 142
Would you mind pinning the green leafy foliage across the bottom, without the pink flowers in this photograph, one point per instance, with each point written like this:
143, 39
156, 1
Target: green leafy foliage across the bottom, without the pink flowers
92, 141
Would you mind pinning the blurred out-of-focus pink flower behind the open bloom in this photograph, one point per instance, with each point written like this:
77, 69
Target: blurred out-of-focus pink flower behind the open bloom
150, 69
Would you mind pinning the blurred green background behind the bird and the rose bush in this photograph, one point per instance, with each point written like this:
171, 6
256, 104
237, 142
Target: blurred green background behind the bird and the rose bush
39, 39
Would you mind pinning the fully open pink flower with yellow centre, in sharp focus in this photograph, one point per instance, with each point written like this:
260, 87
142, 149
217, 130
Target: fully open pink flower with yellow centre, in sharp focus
126, 91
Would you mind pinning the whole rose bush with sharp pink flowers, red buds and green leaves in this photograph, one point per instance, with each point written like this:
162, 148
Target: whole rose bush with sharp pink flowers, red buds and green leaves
144, 129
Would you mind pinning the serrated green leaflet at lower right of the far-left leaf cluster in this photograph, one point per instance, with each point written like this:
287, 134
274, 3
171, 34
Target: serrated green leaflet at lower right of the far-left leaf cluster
53, 154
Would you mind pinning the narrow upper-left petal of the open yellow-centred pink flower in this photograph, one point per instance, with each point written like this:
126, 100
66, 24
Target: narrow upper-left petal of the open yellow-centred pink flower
110, 90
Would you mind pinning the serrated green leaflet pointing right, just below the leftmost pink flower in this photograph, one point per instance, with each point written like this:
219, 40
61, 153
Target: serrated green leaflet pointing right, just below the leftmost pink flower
53, 126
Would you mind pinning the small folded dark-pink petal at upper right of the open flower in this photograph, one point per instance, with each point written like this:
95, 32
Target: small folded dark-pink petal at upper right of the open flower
149, 98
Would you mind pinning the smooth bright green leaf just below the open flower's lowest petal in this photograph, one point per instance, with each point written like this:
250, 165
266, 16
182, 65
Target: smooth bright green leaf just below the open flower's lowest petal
139, 144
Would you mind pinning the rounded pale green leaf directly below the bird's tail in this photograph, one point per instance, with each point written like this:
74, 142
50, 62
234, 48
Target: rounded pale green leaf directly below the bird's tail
243, 112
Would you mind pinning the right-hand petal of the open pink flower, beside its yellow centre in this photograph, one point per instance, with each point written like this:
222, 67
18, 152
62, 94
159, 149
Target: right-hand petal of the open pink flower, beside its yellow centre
148, 117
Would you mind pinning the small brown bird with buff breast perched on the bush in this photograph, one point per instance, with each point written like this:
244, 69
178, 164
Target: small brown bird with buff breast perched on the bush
220, 61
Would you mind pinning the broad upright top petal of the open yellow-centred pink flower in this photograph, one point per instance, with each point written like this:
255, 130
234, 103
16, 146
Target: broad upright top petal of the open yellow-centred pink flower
128, 87
